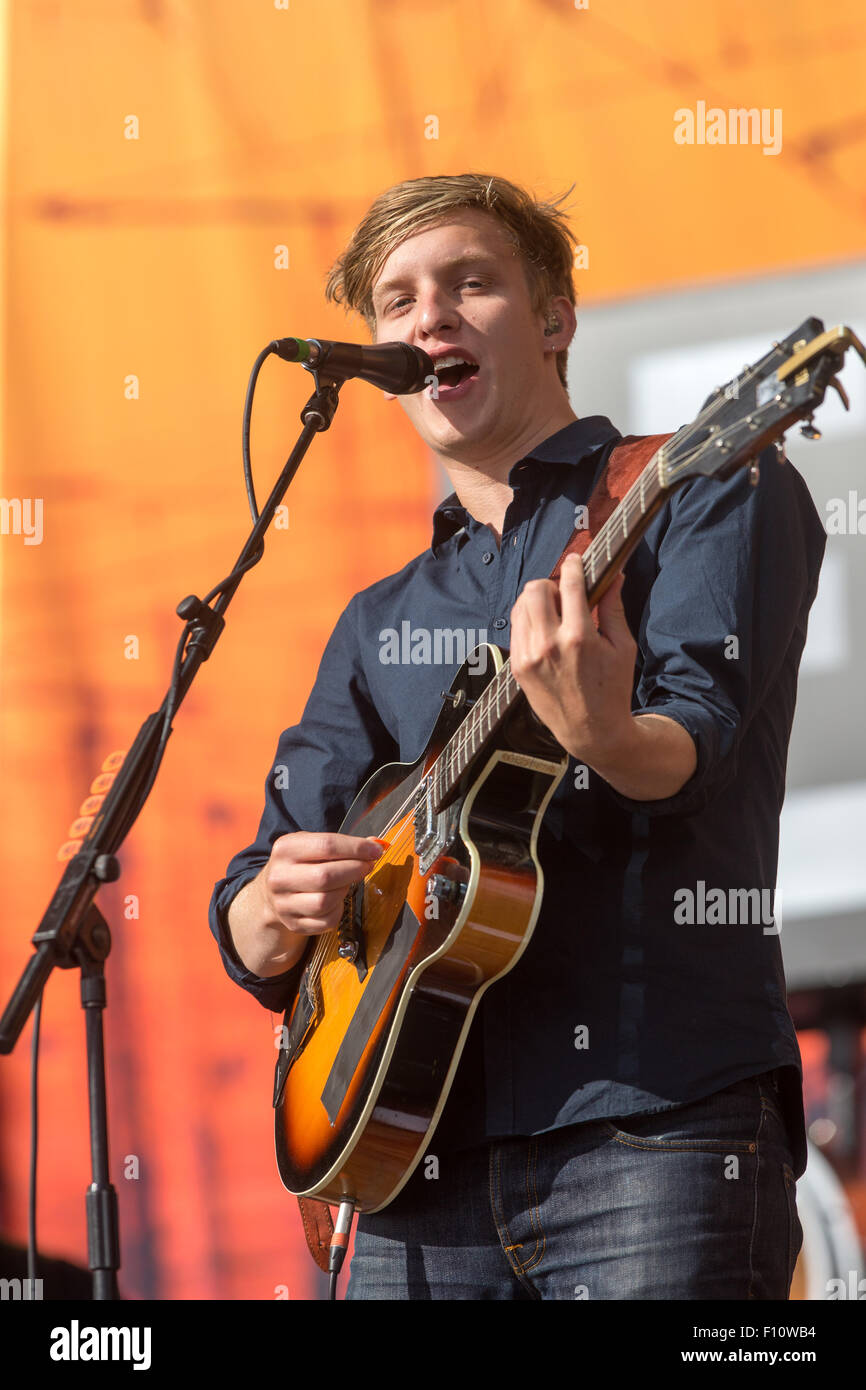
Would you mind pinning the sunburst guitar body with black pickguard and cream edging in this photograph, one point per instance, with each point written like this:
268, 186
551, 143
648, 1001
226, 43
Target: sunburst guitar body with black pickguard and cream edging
372, 1046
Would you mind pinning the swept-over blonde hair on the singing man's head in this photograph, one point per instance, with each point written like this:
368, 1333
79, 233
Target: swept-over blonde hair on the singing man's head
537, 230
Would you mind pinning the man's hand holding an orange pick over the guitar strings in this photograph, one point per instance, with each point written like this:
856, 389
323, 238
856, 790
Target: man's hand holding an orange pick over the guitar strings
298, 894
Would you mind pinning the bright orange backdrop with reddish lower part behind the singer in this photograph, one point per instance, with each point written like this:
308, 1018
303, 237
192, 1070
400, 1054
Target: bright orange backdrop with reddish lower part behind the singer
262, 126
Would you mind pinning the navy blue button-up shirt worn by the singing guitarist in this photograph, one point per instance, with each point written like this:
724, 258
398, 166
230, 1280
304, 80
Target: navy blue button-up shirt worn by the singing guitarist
654, 976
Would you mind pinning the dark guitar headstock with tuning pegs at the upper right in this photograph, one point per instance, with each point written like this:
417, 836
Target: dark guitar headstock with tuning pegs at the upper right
742, 419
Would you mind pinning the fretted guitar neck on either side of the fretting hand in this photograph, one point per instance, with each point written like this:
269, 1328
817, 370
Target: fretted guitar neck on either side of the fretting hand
603, 558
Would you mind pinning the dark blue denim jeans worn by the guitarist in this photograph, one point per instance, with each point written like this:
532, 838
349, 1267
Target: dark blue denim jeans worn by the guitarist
693, 1203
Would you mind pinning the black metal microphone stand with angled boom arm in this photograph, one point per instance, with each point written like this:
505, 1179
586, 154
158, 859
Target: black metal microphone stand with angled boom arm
73, 933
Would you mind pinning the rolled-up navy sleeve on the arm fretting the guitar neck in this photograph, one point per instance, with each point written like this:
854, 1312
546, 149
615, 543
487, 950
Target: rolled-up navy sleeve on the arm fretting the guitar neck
725, 621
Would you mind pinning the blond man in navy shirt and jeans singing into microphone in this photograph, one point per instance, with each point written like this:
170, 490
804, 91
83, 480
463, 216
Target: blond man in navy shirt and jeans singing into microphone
628, 1117
